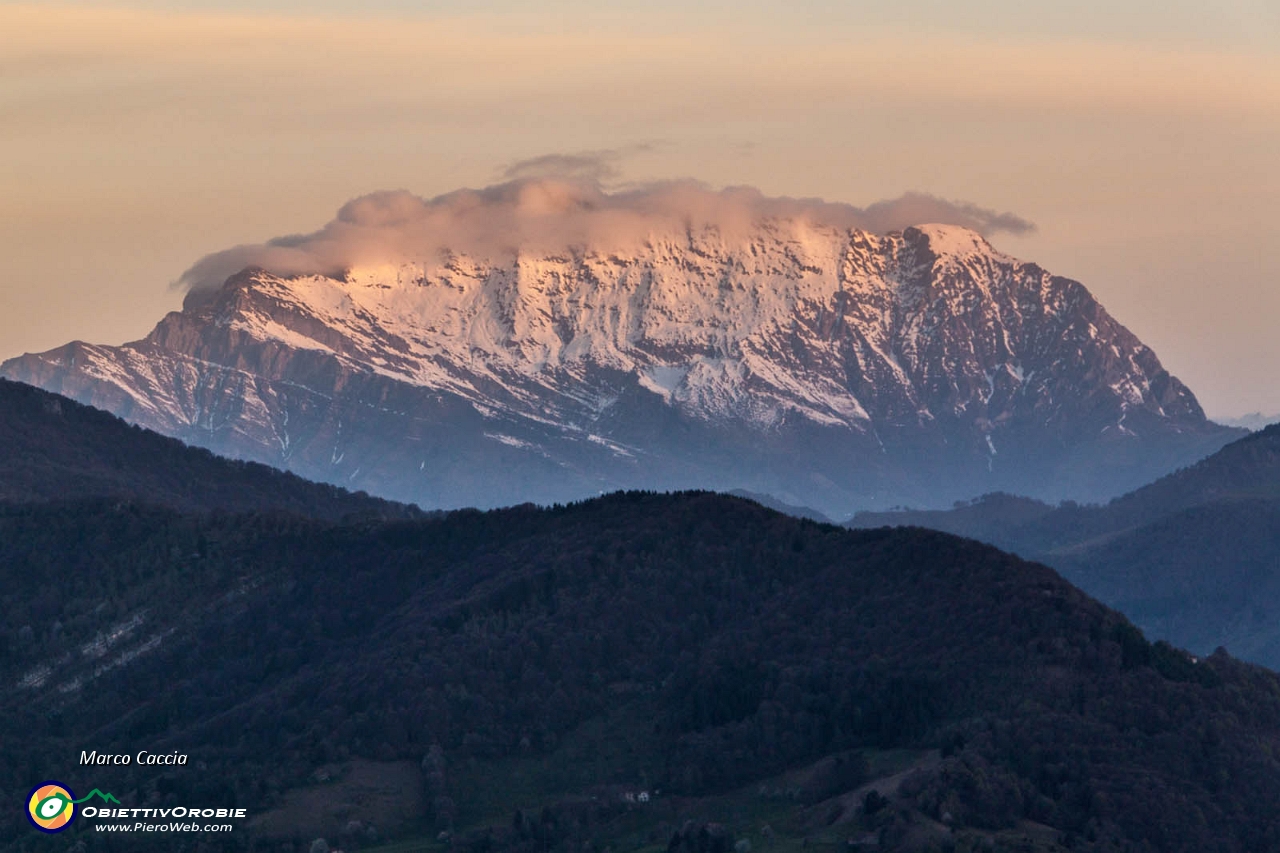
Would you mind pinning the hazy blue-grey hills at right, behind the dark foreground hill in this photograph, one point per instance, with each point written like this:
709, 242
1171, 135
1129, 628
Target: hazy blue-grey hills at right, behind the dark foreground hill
1194, 558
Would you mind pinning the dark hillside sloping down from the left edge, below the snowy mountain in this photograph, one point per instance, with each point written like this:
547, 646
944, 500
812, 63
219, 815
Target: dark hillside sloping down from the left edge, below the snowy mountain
53, 449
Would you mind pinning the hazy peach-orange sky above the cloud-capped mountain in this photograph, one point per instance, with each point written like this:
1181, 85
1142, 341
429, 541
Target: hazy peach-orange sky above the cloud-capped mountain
1141, 138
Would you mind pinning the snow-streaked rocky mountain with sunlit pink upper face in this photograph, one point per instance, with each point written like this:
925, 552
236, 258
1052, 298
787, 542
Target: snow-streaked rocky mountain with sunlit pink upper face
828, 367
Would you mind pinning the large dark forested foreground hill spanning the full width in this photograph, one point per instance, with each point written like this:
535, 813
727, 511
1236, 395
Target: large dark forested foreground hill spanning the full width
747, 667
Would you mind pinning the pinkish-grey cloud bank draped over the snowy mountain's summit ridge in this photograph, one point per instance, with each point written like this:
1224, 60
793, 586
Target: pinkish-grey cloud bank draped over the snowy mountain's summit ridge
540, 213
